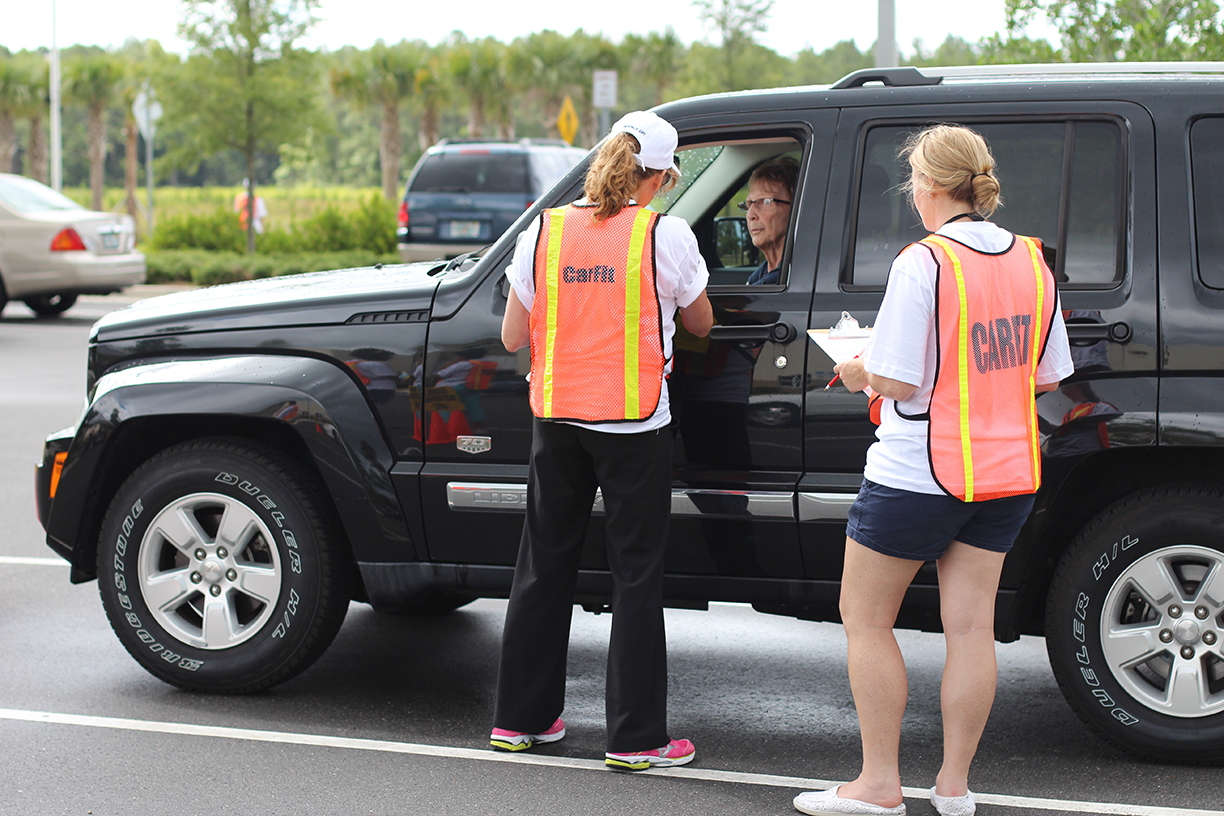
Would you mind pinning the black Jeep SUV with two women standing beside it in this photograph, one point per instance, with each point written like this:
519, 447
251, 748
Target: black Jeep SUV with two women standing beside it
255, 456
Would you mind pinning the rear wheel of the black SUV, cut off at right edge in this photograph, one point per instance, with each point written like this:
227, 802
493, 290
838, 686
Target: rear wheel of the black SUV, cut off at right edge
1134, 625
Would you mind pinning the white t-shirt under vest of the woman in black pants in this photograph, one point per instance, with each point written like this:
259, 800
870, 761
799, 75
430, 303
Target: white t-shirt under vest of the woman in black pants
681, 278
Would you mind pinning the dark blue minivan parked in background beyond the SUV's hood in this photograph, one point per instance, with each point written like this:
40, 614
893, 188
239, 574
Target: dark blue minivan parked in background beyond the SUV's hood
463, 195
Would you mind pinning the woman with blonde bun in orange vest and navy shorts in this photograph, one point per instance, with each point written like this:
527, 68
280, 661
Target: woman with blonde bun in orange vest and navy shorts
969, 332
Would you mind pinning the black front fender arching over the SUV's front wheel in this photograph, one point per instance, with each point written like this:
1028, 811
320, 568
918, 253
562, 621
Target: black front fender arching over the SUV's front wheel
174, 401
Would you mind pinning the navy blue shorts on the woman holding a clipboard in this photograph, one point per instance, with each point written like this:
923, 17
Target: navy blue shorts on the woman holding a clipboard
921, 527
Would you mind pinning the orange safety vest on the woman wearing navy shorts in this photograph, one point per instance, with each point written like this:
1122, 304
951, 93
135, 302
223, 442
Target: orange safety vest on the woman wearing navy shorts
993, 314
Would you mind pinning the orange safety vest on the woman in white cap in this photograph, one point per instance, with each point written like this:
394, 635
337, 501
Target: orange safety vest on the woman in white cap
597, 325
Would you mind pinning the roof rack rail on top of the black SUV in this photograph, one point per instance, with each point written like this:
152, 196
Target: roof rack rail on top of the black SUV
911, 76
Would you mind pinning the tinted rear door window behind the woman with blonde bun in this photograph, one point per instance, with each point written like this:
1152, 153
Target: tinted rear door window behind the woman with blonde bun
1062, 183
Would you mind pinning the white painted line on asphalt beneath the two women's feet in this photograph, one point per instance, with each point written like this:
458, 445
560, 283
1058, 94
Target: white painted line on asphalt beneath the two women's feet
485, 755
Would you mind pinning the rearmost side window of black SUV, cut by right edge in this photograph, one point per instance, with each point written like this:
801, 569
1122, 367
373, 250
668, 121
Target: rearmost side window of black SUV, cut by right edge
1207, 171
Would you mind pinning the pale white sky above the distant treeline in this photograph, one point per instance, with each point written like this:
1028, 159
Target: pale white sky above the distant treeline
795, 25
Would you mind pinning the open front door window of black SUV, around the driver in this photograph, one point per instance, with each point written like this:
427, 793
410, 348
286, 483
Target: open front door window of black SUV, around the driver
714, 180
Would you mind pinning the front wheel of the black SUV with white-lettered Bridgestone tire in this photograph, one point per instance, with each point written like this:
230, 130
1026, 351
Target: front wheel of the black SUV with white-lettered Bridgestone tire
221, 568
